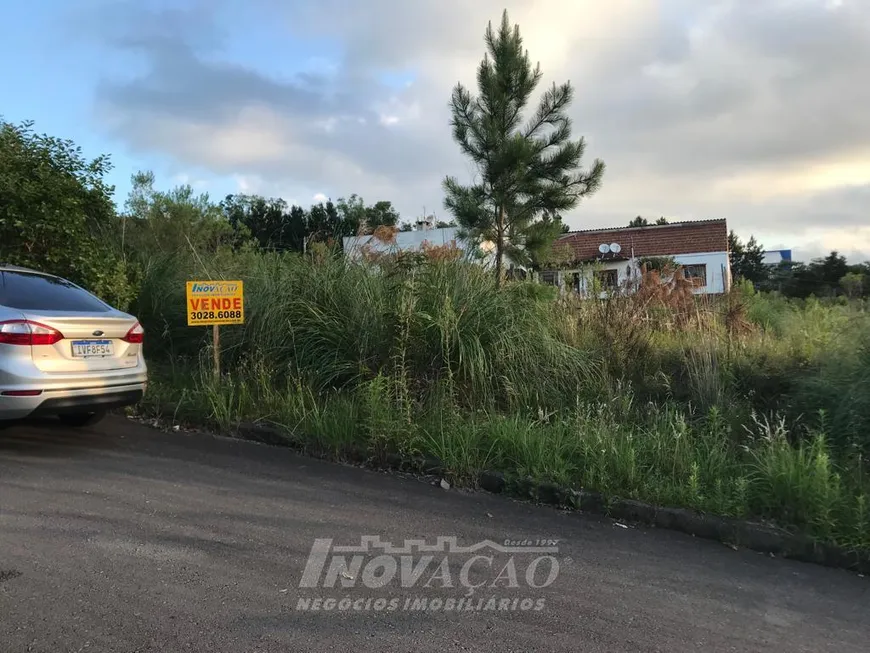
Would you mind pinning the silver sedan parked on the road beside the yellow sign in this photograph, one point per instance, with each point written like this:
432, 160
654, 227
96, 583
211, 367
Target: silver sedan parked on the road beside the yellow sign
63, 351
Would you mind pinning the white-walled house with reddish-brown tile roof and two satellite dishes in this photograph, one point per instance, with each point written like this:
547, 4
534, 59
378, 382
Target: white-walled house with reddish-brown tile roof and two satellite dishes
614, 256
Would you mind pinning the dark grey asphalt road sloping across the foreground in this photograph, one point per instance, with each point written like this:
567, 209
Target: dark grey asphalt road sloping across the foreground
122, 538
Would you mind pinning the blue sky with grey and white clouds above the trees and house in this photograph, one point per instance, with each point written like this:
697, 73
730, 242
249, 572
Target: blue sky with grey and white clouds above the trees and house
757, 111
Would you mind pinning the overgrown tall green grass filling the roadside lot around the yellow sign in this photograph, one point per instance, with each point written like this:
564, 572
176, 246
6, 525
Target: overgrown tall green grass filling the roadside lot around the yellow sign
749, 406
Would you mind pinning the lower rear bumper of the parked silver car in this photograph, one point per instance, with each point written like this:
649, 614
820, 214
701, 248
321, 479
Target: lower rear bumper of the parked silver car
79, 400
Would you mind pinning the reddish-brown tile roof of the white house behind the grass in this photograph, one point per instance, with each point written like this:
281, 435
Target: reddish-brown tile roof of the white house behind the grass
653, 240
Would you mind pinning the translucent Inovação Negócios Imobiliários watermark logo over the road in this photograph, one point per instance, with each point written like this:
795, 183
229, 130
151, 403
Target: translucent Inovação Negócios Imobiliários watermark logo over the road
423, 576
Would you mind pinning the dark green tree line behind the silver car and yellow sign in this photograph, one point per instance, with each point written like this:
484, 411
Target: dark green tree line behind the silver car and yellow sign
57, 214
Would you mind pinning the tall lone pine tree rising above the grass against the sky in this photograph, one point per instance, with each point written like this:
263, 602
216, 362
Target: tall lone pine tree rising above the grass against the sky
524, 170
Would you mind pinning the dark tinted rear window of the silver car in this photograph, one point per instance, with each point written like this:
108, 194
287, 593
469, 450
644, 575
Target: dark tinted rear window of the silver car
35, 292
